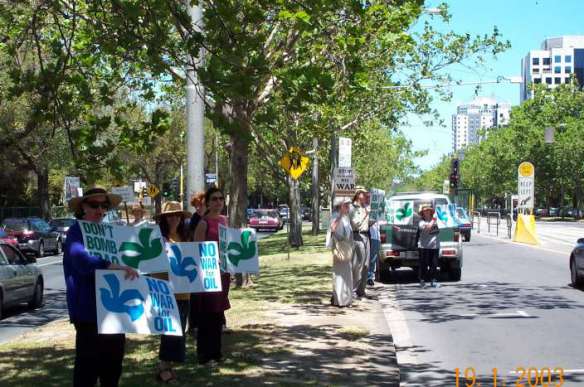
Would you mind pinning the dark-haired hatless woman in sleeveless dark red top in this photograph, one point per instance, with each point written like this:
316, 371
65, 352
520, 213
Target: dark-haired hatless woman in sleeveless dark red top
212, 306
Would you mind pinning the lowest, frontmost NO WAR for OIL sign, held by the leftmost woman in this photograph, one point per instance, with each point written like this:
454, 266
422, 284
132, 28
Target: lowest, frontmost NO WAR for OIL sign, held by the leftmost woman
143, 305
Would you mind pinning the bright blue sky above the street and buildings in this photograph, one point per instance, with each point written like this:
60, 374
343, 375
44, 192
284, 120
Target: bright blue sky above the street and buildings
525, 23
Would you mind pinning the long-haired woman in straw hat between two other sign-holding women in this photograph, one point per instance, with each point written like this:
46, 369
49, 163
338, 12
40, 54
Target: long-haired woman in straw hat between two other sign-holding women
173, 348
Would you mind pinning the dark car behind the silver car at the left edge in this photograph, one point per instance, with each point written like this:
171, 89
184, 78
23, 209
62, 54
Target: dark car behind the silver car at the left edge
34, 235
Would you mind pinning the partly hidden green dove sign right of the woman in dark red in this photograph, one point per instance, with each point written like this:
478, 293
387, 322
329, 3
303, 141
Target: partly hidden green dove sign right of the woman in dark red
239, 250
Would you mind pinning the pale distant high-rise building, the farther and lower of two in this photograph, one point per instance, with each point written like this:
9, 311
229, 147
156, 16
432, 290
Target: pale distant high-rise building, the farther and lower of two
471, 118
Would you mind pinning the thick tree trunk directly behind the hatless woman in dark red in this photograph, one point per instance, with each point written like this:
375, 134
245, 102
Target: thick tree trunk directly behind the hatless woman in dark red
238, 191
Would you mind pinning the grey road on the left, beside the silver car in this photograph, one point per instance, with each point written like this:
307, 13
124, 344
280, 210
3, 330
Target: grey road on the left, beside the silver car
20, 319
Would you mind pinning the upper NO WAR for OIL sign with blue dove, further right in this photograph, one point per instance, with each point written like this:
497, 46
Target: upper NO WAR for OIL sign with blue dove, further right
194, 267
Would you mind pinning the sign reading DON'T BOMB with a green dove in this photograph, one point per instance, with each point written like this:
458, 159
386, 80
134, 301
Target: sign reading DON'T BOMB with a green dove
137, 247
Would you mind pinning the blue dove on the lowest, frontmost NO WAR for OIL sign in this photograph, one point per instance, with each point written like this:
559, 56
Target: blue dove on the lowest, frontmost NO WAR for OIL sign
117, 302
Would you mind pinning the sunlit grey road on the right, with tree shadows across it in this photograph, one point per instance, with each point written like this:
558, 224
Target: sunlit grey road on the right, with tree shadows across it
513, 308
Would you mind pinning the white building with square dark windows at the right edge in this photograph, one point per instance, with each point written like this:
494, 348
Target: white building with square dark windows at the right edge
555, 63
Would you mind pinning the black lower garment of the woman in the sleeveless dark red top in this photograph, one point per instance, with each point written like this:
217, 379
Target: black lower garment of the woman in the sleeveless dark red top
209, 336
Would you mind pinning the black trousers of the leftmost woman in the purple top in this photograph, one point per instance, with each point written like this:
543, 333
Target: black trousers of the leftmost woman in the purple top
97, 357
